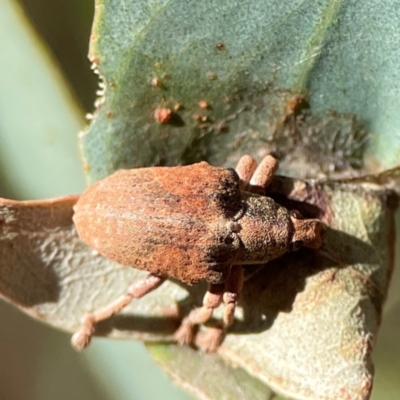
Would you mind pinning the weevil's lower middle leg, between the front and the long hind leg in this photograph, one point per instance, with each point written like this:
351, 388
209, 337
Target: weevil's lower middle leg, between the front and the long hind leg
212, 299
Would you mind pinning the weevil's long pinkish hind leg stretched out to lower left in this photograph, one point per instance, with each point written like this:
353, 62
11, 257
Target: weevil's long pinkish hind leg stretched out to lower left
82, 338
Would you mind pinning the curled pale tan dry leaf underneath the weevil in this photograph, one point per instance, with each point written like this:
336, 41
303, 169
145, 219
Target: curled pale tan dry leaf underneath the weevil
306, 322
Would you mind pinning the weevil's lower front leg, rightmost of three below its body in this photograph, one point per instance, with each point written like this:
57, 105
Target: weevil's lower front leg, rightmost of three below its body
233, 288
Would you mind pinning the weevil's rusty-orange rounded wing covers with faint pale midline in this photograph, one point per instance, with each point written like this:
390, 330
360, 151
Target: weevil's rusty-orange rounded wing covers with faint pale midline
164, 220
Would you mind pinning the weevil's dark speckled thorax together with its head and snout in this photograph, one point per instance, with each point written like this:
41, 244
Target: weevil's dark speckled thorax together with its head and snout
267, 230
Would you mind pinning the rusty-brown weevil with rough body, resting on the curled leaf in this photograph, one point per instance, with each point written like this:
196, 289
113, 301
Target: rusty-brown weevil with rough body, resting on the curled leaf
193, 223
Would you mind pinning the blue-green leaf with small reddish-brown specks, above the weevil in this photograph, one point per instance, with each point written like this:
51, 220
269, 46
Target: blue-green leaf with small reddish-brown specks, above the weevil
247, 60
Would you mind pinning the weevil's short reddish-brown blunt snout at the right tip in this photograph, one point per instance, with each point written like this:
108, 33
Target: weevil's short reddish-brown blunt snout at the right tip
307, 233
